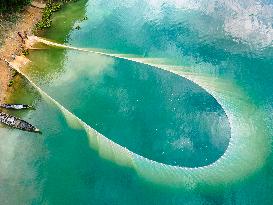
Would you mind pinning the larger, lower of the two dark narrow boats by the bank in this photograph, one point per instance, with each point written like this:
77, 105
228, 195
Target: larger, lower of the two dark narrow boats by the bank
17, 123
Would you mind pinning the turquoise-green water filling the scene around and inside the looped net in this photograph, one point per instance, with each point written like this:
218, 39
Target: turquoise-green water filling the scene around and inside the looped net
153, 113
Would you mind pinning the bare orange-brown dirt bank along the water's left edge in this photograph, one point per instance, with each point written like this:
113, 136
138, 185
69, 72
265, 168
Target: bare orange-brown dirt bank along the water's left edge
12, 45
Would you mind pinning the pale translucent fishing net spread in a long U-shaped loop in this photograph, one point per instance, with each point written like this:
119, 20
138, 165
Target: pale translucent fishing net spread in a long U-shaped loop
235, 163
